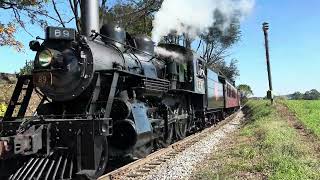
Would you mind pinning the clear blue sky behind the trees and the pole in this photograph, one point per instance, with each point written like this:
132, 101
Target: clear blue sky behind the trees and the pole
294, 47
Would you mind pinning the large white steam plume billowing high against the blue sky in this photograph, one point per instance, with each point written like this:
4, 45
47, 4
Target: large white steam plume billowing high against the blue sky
193, 17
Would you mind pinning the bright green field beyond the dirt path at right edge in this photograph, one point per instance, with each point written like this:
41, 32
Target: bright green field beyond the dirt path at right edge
308, 112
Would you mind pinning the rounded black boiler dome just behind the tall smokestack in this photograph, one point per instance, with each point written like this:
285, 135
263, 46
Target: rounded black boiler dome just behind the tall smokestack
113, 34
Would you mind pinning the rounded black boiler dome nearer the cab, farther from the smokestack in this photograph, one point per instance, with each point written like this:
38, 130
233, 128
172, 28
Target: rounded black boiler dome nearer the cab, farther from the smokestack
144, 44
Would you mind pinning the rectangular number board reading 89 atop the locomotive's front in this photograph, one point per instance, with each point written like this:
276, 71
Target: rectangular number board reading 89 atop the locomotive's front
60, 33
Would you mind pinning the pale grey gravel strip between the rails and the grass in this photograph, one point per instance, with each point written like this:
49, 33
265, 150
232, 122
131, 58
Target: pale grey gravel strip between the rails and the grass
183, 164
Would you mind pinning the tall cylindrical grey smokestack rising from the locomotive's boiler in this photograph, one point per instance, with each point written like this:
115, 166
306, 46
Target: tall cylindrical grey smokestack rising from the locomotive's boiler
89, 16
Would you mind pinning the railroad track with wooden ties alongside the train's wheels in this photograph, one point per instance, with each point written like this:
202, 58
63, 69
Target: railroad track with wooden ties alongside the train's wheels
143, 166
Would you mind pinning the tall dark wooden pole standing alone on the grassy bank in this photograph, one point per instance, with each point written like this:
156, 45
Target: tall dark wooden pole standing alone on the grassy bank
265, 27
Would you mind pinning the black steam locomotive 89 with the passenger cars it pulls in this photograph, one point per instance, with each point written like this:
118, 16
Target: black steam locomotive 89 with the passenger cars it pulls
105, 94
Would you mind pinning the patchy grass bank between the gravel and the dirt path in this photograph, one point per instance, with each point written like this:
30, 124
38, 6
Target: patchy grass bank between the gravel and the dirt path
266, 147
